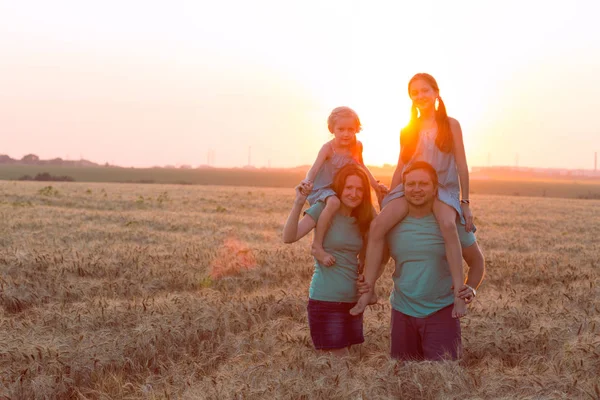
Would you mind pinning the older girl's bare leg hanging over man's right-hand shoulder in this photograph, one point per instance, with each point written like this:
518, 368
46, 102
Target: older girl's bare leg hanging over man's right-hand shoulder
446, 218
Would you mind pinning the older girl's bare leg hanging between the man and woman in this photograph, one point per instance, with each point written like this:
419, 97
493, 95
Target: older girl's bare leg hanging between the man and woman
392, 213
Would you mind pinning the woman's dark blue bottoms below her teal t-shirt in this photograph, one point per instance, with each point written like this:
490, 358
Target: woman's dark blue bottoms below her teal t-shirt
332, 326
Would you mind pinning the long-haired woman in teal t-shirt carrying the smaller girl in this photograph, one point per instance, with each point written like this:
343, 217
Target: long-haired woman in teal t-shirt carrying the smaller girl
332, 290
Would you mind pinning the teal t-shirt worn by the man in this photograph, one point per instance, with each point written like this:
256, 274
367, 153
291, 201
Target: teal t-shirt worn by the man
422, 280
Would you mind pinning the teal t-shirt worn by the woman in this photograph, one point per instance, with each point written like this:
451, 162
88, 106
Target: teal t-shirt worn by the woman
343, 241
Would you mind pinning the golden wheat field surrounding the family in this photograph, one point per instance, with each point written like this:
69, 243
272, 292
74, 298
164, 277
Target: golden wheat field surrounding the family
127, 291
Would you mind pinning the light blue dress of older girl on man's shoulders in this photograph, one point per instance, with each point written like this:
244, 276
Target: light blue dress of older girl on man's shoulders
444, 164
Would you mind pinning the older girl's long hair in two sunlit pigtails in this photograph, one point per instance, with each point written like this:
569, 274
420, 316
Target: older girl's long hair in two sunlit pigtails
409, 136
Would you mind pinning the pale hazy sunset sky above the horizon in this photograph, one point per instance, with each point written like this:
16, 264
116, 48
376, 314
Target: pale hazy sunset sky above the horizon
232, 83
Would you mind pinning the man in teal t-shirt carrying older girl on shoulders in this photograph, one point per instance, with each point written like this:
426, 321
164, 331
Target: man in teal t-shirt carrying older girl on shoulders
422, 298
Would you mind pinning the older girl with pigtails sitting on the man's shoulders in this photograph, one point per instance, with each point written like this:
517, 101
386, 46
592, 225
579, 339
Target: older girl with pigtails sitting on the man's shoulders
433, 137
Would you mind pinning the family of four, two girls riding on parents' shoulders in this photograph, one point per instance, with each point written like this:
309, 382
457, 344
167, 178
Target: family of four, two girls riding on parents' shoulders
425, 225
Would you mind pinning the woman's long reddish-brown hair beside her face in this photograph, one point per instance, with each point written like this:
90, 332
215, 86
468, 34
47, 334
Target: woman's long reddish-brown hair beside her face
364, 212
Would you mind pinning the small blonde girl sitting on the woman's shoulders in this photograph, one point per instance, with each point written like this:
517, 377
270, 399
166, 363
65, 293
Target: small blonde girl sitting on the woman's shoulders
344, 149
